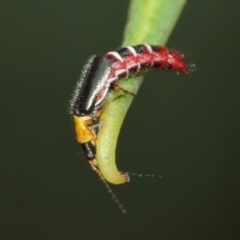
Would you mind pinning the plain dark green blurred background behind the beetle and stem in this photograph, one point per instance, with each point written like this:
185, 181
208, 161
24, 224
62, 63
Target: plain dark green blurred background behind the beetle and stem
185, 128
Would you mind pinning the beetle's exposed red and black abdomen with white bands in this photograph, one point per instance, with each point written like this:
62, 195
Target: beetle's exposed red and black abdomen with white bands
132, 60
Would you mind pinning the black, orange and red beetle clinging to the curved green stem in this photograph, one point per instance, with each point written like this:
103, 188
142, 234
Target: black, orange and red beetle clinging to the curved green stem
99, 76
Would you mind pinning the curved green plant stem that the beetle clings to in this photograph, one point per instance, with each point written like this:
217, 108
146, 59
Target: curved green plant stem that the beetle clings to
149, 21
